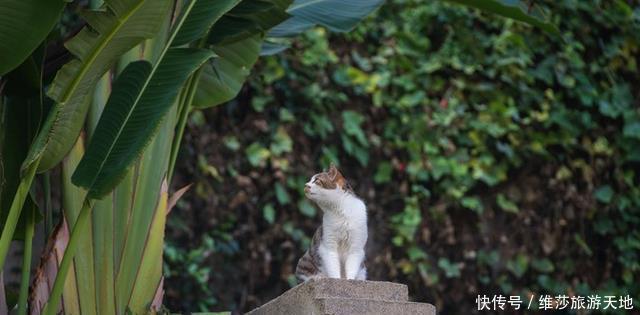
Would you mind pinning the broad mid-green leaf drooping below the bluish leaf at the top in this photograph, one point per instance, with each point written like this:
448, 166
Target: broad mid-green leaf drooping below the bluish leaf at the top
222, 78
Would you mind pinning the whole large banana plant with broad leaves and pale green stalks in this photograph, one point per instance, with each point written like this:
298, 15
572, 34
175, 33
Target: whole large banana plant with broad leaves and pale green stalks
118, 111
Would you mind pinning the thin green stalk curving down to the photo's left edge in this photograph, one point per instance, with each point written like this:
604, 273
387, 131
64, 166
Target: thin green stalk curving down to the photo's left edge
14, 212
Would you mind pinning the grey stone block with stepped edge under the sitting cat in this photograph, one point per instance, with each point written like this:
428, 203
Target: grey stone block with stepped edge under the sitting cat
338, 297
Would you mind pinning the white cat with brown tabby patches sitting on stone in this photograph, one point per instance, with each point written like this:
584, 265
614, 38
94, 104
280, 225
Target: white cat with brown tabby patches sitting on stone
337, 247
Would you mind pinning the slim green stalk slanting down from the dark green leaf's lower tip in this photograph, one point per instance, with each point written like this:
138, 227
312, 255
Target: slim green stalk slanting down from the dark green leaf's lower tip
56, 293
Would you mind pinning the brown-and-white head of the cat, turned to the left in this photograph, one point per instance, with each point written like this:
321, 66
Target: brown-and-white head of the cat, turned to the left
327, 186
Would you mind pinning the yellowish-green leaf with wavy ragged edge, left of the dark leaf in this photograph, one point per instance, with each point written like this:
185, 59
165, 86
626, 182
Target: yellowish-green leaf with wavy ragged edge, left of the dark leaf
113, 30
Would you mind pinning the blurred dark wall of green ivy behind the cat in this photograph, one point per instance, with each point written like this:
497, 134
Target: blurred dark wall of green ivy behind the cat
494, 159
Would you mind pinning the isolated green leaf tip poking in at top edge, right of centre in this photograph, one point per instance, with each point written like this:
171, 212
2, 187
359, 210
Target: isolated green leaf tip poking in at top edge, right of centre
514, 9
